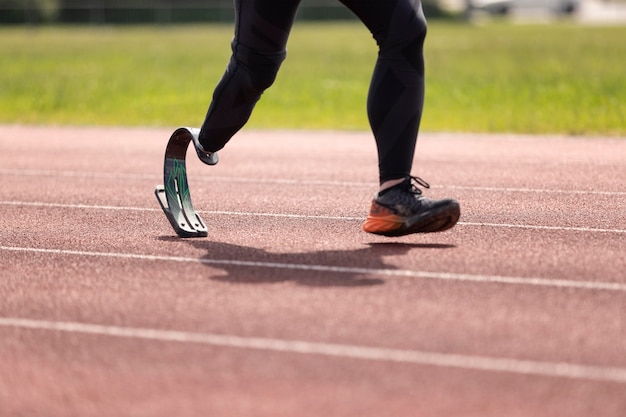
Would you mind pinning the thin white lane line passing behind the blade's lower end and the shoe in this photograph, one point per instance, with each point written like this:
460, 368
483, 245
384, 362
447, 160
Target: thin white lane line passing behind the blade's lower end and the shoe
306, 216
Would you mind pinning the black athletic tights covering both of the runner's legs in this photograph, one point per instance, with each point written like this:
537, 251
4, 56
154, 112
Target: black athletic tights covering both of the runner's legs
396, 94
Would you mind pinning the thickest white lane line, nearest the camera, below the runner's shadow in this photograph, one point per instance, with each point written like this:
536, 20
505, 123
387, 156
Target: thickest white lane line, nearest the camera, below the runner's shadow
417, 357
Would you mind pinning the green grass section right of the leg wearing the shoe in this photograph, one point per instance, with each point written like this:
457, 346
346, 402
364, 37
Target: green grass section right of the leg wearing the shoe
565, 79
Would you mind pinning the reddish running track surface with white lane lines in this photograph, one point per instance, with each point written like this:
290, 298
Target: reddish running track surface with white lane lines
287, 308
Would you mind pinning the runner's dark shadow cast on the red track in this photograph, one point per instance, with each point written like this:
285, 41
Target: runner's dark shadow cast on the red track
326, 268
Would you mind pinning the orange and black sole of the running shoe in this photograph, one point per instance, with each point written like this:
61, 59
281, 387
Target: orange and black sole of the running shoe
429, 222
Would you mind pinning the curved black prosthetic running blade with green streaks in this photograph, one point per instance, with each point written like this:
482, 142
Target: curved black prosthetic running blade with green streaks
174, 196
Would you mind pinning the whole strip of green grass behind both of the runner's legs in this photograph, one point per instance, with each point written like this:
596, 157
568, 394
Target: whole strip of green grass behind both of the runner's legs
494, 78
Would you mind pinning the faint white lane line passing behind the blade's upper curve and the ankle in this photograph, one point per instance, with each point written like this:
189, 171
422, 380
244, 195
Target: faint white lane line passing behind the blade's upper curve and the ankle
284, 181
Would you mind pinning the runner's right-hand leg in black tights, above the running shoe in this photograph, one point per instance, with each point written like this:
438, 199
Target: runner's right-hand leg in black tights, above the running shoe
396, 95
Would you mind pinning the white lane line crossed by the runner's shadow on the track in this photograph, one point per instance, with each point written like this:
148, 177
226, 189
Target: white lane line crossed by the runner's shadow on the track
442, 276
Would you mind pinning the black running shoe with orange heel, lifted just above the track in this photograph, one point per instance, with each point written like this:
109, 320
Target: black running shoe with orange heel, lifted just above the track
402, 210
